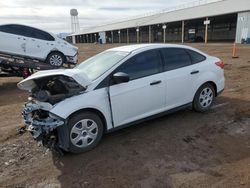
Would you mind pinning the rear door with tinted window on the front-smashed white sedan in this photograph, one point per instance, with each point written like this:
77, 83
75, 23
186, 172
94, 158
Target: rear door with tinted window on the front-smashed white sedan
180, 77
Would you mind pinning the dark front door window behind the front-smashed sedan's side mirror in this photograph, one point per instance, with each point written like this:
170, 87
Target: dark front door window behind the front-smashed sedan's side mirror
142, 65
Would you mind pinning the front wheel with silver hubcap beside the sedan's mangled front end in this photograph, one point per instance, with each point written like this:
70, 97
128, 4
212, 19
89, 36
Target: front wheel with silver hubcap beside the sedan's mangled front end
81, 128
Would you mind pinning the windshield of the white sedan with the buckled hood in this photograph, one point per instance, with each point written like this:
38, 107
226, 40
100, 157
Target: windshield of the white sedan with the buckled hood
97, 65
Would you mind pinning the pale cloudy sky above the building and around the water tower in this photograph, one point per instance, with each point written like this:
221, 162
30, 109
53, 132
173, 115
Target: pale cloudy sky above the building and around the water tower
54, 16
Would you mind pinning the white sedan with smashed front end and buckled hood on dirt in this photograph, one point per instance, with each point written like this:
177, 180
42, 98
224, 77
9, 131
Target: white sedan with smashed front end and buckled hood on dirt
72, 109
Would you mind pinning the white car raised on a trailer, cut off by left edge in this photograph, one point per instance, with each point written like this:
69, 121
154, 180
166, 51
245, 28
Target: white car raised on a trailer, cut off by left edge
29, 42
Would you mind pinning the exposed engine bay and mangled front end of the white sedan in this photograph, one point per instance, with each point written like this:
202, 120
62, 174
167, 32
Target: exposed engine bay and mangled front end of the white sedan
43, 125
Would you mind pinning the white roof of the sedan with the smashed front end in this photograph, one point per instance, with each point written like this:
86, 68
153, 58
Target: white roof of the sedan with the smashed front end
135, 47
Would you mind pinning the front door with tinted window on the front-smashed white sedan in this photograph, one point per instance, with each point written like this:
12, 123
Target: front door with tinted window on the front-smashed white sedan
144, 94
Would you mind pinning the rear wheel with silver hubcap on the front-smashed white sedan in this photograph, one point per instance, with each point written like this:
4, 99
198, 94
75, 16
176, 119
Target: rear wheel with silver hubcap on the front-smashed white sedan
204, 98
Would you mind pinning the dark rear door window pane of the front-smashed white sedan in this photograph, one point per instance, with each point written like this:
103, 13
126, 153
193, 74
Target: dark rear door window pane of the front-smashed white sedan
175, 58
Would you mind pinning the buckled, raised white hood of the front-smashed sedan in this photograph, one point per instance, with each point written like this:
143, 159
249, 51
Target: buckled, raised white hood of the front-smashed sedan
76, 74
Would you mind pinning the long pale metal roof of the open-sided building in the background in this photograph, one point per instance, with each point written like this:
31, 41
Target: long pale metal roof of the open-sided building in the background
217, 8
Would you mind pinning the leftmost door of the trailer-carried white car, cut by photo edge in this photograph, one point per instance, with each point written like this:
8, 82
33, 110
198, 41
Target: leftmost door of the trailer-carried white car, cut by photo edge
13, 40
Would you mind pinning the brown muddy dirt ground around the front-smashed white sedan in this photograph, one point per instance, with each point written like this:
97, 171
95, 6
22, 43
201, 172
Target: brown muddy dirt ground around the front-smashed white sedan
185, 149
